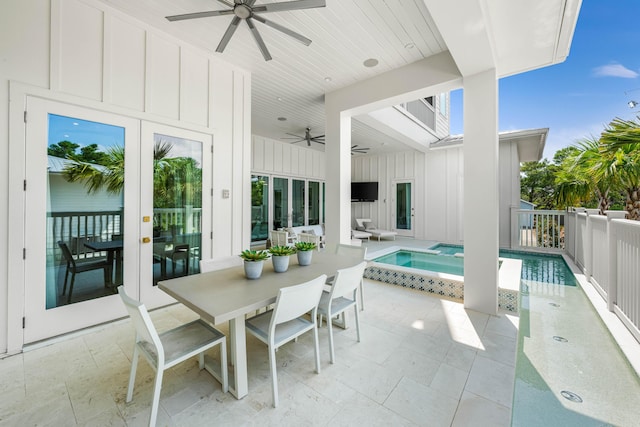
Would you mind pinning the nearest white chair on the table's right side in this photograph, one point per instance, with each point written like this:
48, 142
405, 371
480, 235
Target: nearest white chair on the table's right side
286, 322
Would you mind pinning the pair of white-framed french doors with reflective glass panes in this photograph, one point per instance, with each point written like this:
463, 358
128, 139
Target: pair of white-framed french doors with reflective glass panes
103, 191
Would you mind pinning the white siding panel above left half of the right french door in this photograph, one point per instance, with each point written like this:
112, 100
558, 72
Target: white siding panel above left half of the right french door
163, 77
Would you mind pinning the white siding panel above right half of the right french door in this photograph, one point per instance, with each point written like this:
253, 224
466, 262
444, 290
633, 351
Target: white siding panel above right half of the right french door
194, 87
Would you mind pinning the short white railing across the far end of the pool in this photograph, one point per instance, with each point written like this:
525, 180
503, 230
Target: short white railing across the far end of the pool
537, 229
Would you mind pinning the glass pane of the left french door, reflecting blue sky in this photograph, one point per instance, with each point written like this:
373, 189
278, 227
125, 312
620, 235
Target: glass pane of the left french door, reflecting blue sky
85, 186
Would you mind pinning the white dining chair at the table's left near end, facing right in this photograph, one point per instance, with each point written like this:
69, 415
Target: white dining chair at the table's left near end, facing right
169, 348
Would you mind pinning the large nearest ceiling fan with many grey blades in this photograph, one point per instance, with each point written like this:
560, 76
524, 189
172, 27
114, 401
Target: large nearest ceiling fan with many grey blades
245, 9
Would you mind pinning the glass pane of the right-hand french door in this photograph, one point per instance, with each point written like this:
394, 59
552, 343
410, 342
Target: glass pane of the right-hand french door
177, 206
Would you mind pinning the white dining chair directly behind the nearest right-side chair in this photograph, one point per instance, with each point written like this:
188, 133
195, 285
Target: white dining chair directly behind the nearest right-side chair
343, 295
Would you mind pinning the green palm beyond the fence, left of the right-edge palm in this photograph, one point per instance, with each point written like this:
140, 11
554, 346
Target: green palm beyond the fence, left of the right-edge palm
580, 176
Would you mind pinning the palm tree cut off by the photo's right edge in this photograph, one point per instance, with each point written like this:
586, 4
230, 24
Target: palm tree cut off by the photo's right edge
620, 147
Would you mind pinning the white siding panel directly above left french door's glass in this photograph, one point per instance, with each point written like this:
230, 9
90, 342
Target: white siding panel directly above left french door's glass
79, 53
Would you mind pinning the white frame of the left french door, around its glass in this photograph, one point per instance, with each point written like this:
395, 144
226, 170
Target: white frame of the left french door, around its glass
41, 323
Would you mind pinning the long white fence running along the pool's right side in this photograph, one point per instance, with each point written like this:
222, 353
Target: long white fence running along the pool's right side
607, 249
